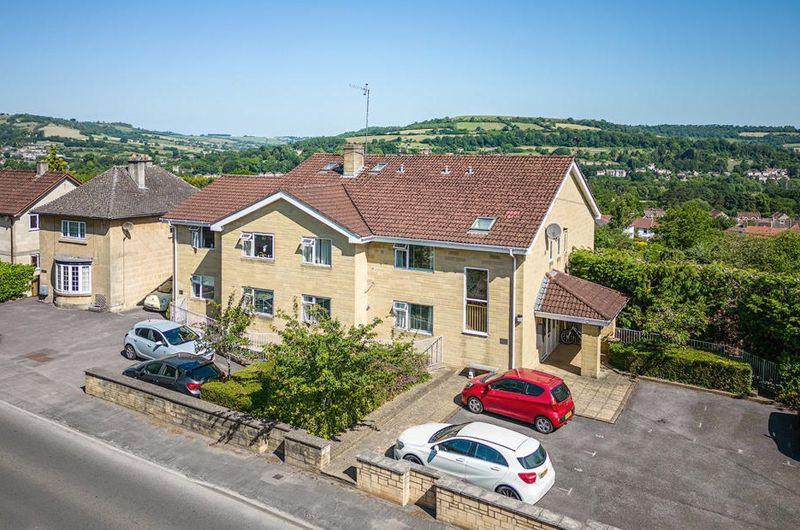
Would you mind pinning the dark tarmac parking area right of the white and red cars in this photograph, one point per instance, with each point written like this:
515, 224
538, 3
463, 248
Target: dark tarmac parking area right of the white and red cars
676, 458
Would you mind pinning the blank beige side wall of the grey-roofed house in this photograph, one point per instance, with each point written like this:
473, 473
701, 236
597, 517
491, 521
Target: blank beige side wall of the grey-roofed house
140, 261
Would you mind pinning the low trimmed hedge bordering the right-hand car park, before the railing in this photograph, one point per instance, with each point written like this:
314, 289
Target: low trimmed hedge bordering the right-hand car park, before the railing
683, 365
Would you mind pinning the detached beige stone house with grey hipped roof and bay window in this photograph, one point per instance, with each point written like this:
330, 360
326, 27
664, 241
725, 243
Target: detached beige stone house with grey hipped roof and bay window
103, 245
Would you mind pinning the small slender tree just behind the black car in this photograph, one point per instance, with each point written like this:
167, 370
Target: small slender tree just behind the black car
226, 335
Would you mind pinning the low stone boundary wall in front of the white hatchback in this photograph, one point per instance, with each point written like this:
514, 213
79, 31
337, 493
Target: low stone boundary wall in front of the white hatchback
454, 501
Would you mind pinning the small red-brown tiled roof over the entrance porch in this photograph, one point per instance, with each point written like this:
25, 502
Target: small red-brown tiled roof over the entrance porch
563, 294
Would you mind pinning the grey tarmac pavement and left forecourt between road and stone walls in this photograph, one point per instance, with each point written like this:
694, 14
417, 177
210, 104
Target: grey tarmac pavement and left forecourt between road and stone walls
44, 351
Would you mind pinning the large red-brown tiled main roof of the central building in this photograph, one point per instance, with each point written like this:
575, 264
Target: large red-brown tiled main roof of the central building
421, 202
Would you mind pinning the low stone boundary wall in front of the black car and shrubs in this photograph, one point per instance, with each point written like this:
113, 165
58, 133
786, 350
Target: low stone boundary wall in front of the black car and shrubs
221, 424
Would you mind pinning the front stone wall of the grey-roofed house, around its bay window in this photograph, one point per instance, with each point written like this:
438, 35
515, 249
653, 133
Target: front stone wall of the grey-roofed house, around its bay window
95, 246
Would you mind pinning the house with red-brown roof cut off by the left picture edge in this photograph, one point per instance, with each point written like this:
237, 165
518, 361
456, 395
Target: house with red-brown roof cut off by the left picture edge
22, 191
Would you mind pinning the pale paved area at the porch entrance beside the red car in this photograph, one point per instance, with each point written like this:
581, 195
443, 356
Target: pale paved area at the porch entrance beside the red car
602, 398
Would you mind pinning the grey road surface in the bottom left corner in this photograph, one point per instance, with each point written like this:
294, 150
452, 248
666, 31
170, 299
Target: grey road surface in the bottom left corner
52, 477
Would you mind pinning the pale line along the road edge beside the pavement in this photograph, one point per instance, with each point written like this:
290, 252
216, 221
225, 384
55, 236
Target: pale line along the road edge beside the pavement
214, 487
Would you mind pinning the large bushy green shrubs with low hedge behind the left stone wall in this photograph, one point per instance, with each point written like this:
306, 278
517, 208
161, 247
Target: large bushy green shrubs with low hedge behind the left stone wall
323, 378
